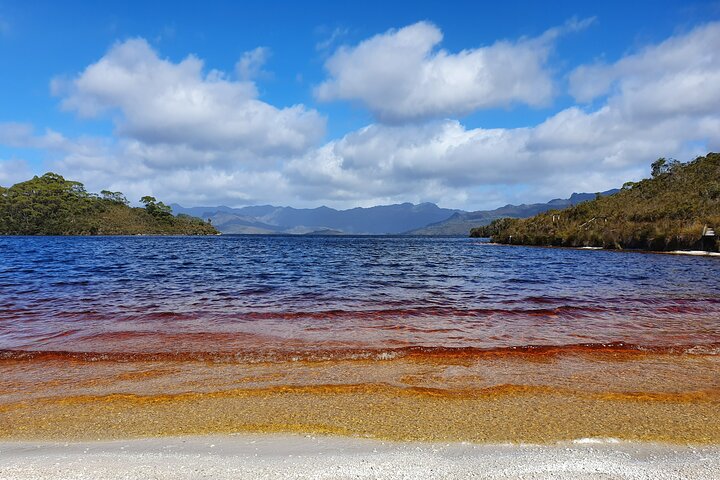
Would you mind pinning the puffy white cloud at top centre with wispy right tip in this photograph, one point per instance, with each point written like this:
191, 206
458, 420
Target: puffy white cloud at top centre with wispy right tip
400, 75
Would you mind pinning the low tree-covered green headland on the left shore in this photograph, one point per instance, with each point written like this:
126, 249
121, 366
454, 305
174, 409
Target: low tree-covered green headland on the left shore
51, 205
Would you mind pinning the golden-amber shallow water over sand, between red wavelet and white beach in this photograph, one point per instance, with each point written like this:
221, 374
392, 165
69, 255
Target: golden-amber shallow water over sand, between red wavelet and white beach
490, 398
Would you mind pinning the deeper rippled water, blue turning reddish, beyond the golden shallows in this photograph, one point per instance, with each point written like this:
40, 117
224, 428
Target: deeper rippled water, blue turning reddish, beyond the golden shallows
273, 292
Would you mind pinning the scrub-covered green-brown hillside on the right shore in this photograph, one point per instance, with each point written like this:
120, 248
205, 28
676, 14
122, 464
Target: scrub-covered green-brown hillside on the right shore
666, 212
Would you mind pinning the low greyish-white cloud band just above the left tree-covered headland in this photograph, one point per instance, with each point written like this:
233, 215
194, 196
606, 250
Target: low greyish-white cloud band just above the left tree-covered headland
173, 173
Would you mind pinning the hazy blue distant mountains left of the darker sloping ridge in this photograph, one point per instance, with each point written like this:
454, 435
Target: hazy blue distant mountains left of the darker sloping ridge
268, 219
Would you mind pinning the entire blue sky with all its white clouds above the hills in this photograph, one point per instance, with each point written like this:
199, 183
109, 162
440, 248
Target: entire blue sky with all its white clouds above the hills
469, 105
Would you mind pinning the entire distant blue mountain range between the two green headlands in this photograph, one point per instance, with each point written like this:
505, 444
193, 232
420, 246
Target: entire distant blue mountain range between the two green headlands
398, 219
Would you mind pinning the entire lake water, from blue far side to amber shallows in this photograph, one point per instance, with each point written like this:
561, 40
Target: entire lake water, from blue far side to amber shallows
104, 321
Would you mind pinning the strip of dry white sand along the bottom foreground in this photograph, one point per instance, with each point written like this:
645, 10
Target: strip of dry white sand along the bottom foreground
290, 457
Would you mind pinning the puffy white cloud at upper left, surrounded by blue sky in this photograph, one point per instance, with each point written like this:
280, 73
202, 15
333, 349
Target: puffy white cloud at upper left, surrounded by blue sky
161, 102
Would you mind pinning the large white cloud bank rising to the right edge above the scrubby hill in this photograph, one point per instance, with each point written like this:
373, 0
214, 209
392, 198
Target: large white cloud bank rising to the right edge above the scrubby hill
663, 107
